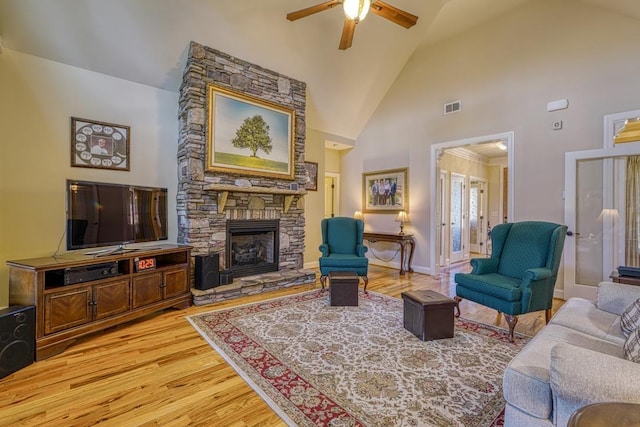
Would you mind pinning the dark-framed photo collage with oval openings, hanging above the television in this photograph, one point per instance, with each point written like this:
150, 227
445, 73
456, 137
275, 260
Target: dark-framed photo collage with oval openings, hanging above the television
99, 145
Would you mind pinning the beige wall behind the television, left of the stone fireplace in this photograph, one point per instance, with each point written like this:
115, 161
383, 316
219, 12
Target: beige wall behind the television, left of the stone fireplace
38, 99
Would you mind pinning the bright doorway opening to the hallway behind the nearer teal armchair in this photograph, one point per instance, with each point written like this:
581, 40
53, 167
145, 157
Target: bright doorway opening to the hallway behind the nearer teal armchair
470, 193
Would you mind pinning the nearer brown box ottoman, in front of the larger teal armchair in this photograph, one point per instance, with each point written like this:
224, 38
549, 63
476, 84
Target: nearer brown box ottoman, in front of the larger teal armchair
428, 314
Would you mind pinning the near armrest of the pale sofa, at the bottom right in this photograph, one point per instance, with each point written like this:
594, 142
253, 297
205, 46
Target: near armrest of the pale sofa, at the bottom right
580, 377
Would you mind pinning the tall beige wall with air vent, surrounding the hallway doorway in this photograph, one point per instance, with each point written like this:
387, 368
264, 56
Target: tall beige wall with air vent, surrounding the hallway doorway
504, 72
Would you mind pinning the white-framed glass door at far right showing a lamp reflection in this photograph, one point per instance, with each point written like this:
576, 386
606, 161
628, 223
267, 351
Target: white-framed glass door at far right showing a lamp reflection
595, 206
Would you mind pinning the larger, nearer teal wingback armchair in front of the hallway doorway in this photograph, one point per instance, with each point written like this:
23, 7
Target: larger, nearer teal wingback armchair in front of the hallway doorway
520, 275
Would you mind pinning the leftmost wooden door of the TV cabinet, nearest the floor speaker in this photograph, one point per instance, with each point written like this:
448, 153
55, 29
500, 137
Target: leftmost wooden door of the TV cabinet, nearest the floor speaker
67, 309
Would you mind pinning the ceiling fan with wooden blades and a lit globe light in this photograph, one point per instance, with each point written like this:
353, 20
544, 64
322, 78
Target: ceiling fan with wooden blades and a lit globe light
355, 11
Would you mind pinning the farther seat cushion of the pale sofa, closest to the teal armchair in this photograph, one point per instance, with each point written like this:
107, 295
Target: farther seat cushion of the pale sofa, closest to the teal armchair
583, 316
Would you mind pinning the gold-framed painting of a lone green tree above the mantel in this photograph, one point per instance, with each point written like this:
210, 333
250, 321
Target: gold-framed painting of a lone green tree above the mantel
248, 135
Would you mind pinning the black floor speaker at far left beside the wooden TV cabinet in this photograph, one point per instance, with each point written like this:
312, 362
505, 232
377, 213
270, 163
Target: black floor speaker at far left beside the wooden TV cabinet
17, 338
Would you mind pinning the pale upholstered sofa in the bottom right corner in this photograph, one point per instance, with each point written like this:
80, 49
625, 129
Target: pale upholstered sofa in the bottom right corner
575, 360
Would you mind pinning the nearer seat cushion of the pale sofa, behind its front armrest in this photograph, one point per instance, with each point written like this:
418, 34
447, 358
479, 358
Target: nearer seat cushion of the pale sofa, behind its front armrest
526, 382
